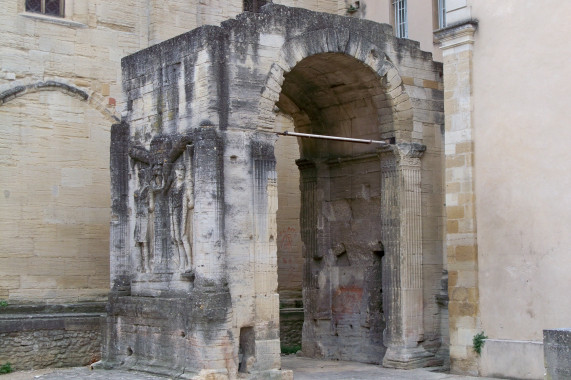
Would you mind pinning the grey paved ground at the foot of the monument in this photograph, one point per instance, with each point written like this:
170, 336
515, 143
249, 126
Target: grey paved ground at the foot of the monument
303, 369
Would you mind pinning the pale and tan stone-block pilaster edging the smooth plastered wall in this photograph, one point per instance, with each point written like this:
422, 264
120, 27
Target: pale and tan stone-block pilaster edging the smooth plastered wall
461, 233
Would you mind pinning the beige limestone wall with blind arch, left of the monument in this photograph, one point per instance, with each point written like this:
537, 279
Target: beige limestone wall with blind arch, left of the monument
54, 244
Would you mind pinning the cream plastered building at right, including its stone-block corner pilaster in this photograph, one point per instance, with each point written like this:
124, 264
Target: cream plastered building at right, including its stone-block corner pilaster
504, 152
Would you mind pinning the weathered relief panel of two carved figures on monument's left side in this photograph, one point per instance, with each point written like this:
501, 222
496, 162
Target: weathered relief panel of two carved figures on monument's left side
164, 204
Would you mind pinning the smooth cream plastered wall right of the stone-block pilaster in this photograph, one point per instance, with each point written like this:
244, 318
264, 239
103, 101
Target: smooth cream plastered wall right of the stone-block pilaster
522, 168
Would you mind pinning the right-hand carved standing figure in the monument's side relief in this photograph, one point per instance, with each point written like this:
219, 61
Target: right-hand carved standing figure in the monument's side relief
181, 208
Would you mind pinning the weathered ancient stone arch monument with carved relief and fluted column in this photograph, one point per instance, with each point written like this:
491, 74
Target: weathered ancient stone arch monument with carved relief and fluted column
193, 235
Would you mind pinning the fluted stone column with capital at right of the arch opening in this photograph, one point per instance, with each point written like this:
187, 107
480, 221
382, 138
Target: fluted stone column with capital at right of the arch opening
402, 263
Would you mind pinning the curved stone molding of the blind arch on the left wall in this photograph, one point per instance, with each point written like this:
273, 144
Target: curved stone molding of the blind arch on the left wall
94, 100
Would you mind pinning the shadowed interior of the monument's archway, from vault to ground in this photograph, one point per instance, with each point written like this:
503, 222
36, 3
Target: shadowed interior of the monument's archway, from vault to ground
339, 203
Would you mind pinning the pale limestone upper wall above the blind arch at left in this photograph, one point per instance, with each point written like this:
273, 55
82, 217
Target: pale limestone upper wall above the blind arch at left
85, 47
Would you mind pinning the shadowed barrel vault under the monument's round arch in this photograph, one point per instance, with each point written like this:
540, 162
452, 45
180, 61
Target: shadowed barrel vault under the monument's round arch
335, 94
